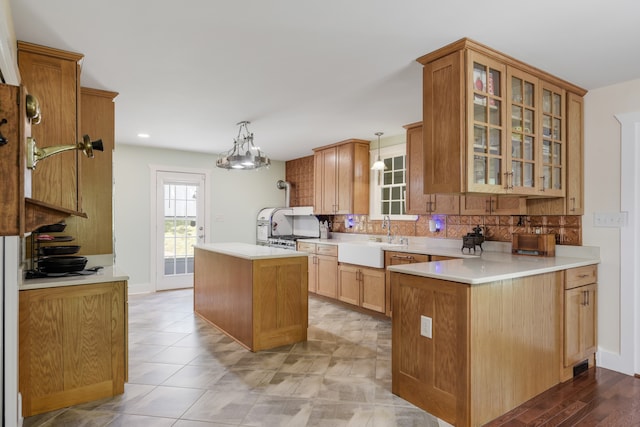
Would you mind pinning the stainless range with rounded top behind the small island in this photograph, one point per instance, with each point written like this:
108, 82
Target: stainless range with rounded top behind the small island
281, 227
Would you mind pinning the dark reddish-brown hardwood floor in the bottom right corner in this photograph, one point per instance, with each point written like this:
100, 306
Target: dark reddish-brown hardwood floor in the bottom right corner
597, 397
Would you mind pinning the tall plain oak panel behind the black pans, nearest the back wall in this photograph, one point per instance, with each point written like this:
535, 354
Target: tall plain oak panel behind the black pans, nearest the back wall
94, 234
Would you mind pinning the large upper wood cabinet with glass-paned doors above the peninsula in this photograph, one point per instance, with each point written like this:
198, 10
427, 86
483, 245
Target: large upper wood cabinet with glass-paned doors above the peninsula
493, 124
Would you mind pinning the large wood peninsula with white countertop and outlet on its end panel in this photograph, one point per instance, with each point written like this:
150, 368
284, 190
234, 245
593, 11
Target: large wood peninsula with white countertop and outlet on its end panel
474, 338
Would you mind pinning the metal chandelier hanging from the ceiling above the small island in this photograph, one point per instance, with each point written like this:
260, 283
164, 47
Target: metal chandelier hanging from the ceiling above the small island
243, 154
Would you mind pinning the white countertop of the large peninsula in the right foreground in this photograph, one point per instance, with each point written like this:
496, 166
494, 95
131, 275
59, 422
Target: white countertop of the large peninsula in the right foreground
490, 267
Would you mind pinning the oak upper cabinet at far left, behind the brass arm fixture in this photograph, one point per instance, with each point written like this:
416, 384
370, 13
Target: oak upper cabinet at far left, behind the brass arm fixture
52, 76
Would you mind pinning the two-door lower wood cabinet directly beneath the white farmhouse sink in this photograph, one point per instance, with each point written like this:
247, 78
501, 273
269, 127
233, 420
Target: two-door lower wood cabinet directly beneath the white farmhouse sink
362, 286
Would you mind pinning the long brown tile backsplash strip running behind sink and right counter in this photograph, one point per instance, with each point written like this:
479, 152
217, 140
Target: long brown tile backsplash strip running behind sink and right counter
567, 228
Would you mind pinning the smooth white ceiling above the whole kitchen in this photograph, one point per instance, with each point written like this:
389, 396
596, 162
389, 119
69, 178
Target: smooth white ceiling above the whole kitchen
309, 73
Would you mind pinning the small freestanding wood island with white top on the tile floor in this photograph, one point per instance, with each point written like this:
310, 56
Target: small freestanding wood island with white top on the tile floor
255, 294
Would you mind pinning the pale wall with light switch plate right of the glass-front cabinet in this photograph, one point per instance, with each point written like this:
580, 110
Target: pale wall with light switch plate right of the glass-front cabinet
602, 194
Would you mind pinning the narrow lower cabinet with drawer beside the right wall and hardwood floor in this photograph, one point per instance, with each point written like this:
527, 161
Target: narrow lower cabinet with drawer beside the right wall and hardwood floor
580, 318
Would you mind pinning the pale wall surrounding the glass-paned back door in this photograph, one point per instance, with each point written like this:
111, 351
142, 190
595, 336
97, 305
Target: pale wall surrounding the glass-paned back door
236, 198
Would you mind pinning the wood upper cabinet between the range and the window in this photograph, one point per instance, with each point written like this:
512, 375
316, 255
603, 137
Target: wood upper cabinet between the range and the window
342, 178
